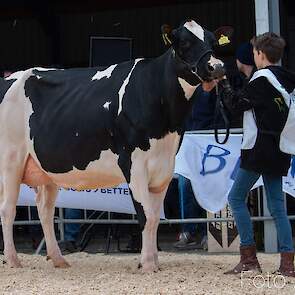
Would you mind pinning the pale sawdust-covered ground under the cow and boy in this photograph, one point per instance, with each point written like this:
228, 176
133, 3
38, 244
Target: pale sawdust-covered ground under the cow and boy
181, 273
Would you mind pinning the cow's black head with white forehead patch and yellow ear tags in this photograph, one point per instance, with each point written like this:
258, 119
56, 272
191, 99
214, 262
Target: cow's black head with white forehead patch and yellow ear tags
193, 48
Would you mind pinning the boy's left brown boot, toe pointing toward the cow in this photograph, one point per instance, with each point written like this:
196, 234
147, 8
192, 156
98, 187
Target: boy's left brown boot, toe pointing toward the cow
247, 262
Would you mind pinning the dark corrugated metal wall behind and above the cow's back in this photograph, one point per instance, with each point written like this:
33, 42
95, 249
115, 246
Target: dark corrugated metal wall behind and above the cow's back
25, 43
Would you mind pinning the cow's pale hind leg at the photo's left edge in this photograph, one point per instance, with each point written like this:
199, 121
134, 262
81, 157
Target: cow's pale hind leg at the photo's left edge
9, 194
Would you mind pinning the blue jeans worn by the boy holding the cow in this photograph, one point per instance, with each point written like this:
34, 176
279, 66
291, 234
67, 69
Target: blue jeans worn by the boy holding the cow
244, 181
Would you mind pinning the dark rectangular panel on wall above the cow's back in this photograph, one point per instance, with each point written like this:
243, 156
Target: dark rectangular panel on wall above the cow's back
105, 51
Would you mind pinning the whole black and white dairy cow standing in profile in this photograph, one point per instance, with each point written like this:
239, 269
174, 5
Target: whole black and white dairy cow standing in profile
99, 127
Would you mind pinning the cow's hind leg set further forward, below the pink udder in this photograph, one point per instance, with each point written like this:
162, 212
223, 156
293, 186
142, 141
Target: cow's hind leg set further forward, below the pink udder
45, 200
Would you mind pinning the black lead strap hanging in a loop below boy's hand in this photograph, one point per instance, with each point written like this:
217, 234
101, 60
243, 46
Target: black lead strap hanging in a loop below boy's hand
219, 108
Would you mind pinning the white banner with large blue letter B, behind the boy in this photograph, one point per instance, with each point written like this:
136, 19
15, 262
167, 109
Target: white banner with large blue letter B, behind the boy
211, 167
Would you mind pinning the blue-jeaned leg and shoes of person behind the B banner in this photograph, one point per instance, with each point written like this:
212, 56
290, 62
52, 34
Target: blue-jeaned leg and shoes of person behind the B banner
189, 207
